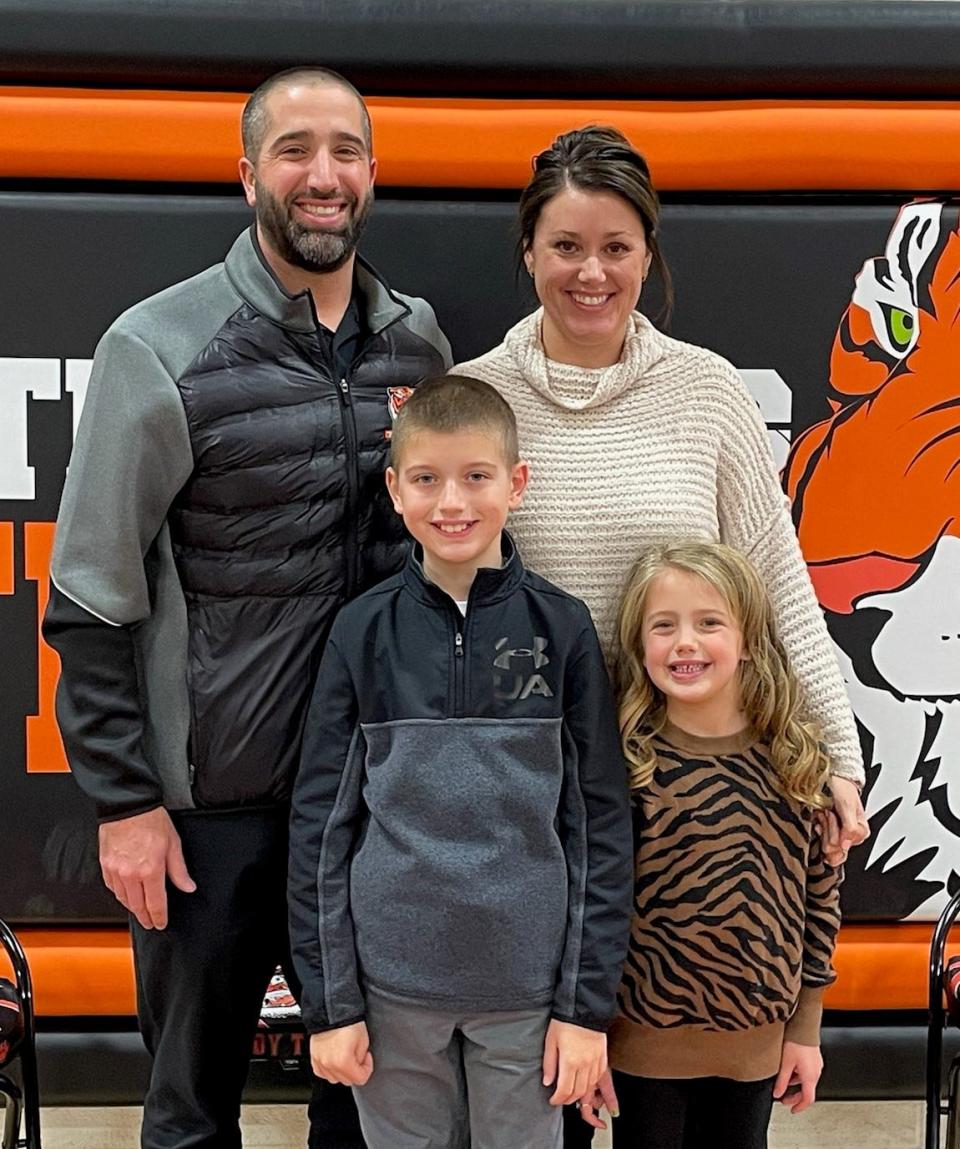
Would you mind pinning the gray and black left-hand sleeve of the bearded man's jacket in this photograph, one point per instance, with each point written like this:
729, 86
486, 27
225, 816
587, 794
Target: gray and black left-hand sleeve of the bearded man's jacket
131, 458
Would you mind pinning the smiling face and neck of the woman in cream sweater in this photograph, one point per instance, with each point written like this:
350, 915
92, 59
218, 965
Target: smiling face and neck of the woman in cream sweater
589, 260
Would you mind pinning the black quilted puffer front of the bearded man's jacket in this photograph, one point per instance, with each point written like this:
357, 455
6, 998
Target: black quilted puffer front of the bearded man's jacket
285, 519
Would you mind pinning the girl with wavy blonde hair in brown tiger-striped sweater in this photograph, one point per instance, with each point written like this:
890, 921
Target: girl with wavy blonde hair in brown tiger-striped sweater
736, 912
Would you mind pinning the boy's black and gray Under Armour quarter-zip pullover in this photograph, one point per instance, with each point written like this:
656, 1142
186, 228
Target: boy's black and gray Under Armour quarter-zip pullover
461, 835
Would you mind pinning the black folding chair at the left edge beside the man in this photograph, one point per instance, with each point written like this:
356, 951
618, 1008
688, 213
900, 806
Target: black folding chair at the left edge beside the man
19, 1051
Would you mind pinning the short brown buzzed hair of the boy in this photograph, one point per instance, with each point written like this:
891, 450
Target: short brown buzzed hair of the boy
448, 404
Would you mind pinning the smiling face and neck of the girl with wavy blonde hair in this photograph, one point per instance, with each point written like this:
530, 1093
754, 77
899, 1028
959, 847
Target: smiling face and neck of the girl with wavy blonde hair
693, 649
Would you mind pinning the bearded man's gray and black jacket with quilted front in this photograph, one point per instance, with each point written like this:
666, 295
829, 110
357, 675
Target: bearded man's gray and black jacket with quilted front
226, 497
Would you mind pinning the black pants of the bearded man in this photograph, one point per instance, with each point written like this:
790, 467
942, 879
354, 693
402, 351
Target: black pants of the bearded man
200, 984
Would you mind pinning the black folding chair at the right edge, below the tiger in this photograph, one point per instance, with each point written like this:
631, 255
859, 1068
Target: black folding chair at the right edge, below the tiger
942, 982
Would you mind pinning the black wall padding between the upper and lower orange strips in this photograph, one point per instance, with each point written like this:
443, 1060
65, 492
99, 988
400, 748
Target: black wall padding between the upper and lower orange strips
764, 284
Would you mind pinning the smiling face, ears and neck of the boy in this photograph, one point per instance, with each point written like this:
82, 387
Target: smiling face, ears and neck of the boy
455, 492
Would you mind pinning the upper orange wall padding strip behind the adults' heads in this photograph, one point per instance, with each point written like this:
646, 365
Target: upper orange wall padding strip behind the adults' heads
750, 145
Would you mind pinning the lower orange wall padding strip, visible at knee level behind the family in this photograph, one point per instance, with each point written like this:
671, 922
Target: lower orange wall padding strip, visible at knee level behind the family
90, 973
